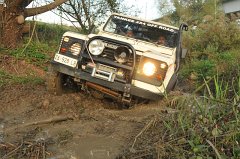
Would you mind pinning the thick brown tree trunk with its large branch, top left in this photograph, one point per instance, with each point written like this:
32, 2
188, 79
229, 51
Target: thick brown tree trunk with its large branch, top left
12, 18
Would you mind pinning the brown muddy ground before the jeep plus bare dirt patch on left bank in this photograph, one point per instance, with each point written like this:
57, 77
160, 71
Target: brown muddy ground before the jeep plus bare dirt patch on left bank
34, 123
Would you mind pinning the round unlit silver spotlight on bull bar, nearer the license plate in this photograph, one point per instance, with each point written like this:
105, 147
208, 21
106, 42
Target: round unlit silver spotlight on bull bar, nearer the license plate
96, 47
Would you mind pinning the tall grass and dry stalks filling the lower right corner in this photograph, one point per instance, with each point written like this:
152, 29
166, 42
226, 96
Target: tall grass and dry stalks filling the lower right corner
205, 126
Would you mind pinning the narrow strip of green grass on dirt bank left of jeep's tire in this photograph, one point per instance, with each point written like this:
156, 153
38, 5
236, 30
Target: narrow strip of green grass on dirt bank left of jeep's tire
10, 79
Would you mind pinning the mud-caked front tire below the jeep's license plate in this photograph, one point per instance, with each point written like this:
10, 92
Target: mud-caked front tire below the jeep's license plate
54, 81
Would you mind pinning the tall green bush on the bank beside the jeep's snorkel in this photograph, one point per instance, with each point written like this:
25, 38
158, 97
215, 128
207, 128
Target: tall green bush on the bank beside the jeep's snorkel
214, 47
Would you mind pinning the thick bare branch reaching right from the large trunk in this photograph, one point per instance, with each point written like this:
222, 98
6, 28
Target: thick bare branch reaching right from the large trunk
38, 10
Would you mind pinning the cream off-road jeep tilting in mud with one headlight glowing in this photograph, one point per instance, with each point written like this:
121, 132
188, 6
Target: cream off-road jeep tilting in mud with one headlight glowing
129, 58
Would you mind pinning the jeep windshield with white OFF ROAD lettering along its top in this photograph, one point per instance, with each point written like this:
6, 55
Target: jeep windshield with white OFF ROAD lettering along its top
150, 32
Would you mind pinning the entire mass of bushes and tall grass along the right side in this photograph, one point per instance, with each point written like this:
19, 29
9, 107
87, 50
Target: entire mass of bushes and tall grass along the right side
207, 126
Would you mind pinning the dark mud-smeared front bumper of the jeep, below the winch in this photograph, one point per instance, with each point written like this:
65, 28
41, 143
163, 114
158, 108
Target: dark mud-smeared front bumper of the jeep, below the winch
115, 86
